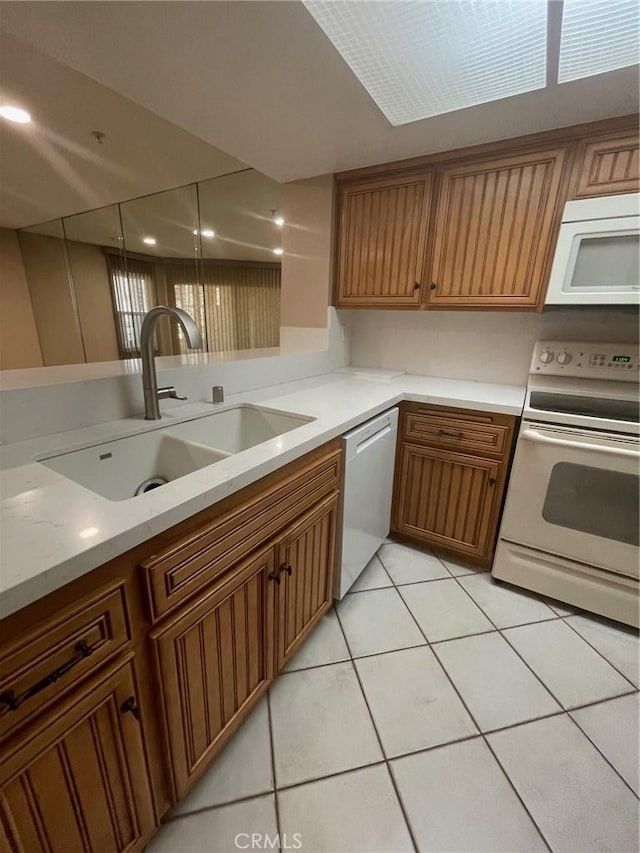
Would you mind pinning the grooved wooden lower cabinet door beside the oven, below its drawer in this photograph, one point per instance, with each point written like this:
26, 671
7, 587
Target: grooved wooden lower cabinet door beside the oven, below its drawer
447, 499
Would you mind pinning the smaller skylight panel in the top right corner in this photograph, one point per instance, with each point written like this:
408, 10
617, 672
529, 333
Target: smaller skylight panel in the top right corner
597, 36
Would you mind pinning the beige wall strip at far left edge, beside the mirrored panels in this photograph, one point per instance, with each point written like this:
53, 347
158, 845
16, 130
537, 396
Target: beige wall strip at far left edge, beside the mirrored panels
19, 345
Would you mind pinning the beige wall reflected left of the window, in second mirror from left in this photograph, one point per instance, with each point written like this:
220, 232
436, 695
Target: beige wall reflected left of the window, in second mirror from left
93, 295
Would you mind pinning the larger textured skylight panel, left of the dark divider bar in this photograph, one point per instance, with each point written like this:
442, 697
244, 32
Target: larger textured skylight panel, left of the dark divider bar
420, 58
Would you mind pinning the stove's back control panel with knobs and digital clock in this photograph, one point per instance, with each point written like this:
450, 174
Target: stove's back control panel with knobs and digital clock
591, 361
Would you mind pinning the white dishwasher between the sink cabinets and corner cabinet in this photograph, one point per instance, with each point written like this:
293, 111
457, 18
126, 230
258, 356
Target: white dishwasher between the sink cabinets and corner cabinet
369, 452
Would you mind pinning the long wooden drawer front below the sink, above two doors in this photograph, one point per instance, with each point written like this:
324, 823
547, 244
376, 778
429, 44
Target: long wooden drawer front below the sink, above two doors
195, 560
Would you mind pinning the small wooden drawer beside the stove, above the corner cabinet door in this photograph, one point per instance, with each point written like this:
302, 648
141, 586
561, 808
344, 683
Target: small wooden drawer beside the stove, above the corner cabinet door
474, 432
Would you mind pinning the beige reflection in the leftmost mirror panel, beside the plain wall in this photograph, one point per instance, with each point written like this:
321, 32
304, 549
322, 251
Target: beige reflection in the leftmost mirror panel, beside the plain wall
51, 297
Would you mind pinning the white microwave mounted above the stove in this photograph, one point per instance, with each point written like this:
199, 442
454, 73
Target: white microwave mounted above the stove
597, 259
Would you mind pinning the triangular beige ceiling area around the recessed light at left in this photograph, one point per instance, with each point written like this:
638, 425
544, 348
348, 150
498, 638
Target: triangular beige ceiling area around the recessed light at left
54, 167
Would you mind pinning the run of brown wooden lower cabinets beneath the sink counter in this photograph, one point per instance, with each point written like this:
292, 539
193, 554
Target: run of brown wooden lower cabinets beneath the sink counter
119, 690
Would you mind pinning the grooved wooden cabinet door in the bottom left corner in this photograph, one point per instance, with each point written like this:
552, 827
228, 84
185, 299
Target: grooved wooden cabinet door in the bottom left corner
80, 781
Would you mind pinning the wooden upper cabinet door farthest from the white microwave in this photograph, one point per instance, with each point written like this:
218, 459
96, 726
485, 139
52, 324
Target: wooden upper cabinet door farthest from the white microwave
382, 235
